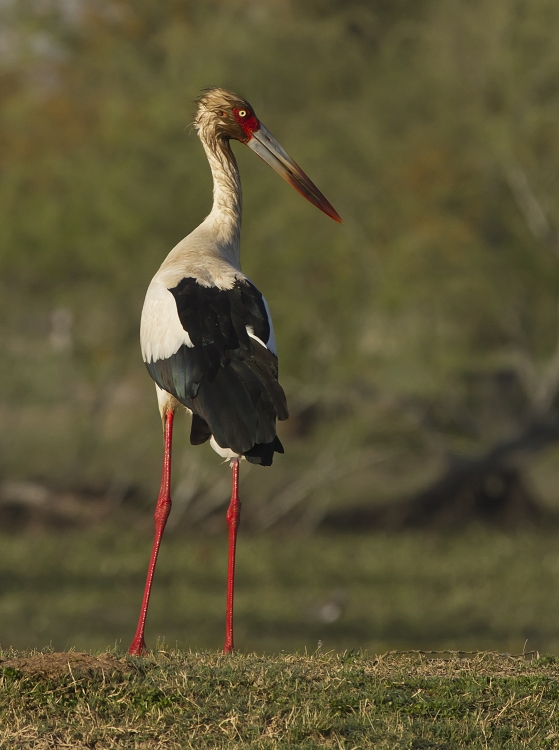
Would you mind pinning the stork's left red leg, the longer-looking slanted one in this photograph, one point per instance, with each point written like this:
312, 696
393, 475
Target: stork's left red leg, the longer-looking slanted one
162, 510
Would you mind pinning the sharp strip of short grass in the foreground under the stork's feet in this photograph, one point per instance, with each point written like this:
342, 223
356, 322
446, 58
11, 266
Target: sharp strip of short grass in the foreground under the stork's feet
186, 700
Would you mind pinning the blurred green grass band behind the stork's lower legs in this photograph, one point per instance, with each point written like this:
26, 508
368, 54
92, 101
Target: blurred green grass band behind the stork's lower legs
479, 590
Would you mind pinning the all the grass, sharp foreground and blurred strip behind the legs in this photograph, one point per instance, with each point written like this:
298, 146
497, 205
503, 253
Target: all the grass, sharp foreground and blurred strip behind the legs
476, 590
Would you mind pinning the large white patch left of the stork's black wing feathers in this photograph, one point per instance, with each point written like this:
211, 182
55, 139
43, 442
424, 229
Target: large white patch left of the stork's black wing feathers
161, 331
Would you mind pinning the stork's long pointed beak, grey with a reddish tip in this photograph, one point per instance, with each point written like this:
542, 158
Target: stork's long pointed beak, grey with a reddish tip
268, 149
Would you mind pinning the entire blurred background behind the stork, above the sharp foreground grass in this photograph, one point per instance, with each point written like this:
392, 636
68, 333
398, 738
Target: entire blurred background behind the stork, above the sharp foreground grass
417, 503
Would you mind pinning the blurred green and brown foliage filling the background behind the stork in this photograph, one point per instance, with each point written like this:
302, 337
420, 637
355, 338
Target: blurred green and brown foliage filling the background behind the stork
420, 326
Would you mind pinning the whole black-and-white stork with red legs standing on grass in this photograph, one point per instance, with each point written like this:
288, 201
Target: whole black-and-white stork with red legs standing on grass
206, 332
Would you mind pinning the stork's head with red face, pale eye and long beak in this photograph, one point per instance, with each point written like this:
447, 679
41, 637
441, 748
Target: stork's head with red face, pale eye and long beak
222, 115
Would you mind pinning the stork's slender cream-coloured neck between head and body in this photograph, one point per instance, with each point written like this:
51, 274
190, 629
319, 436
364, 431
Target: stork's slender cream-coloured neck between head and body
225, 216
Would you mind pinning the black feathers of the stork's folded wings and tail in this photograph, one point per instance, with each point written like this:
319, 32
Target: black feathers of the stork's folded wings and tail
227, 378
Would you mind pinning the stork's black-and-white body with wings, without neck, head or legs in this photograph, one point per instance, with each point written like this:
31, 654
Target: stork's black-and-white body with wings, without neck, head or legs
208, 343
